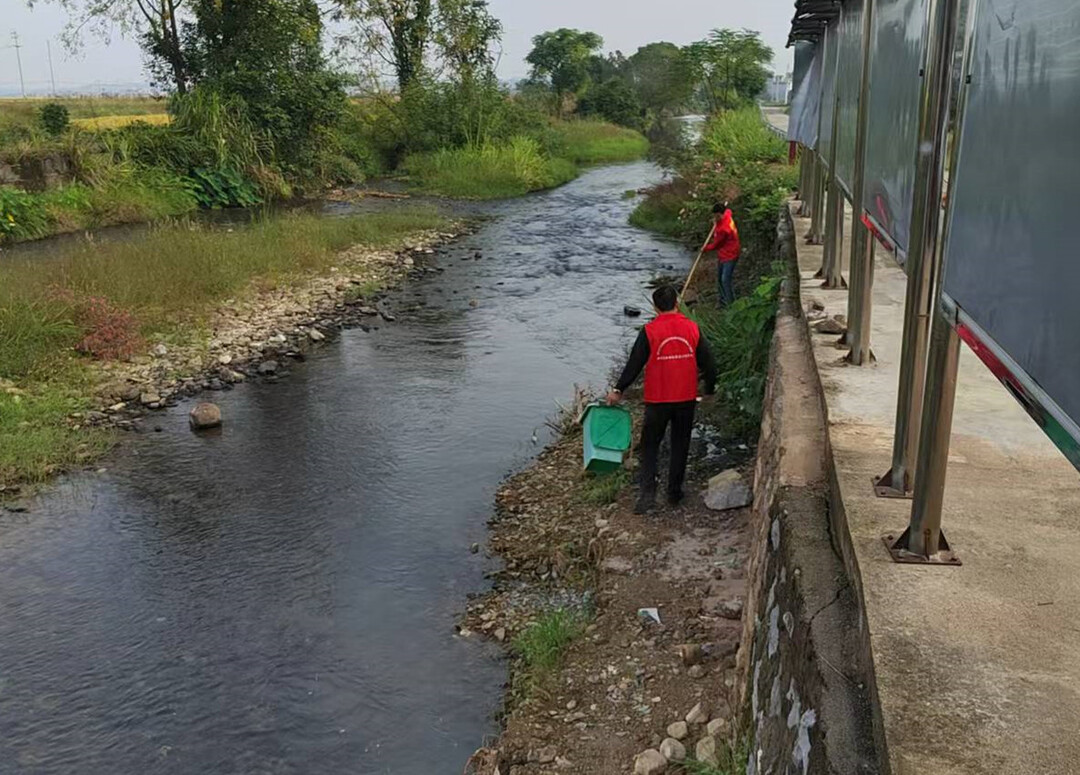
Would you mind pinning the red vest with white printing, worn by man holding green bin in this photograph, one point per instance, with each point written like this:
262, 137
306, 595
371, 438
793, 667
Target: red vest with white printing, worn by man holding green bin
671, 374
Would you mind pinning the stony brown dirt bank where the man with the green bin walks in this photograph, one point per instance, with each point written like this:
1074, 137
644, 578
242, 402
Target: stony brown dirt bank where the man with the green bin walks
627, 678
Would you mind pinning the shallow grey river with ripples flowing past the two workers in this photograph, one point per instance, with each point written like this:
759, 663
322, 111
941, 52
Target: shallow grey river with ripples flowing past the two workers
280, 599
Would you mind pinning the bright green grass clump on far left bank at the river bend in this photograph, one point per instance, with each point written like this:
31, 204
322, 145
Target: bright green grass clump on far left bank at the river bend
490, 172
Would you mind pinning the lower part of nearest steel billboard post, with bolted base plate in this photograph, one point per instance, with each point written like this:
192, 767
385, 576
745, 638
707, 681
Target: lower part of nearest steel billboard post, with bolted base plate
924, 541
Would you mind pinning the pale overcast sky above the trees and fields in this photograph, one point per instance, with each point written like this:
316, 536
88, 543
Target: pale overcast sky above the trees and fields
624, 24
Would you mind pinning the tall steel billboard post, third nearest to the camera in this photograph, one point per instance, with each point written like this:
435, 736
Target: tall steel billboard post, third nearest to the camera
862, 260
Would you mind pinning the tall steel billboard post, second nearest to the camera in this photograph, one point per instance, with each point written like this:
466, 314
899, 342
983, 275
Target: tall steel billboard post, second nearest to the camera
924, 259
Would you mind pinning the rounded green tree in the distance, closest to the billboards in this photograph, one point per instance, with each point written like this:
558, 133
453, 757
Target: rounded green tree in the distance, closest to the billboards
731, 66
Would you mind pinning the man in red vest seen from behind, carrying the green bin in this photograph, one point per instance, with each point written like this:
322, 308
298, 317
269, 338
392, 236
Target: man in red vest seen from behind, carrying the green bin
674, 356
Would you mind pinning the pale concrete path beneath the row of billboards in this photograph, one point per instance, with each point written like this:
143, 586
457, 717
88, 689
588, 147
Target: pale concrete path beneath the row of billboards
978, 668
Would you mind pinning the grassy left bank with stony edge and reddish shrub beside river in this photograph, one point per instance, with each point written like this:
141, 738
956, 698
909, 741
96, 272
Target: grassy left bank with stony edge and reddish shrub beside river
100, 336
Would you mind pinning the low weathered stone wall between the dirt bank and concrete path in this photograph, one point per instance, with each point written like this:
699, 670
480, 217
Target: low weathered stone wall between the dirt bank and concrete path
805, 678
